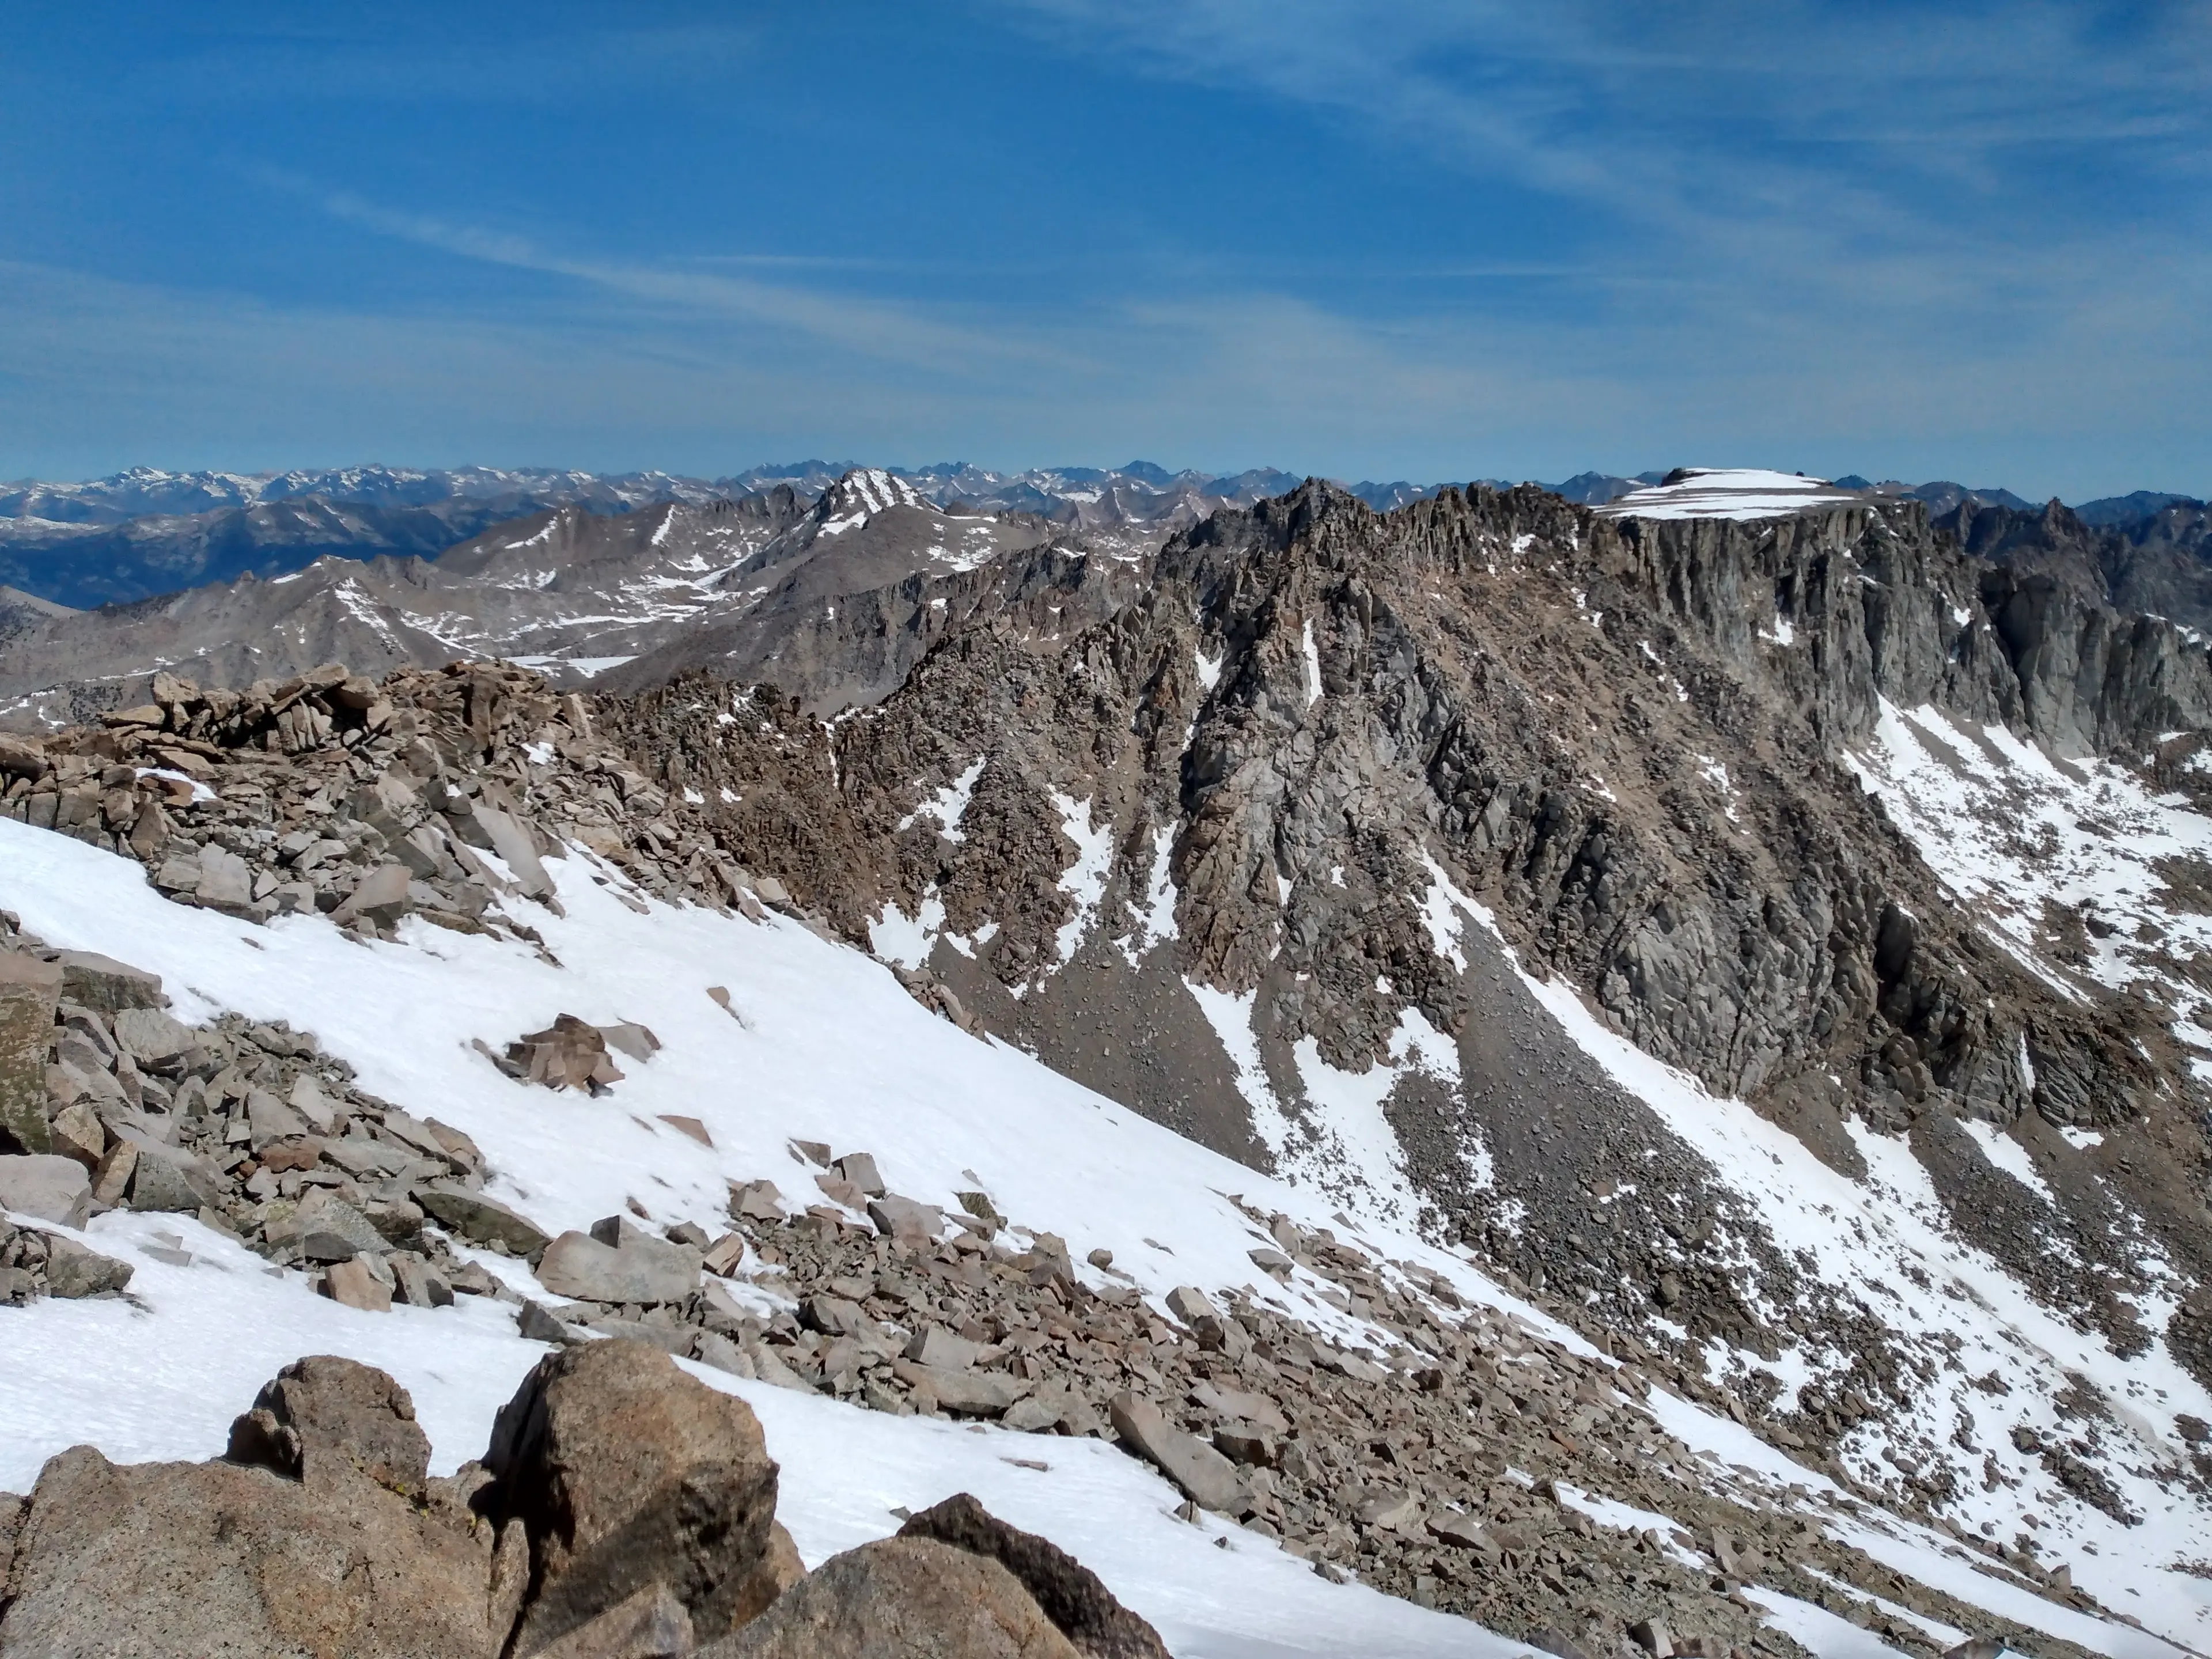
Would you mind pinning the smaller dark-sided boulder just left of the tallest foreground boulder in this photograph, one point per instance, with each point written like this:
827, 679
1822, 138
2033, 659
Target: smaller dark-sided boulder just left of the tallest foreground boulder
326, 1410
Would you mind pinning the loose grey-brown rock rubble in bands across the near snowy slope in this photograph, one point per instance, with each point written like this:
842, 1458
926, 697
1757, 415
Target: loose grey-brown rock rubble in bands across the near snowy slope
1406, 1465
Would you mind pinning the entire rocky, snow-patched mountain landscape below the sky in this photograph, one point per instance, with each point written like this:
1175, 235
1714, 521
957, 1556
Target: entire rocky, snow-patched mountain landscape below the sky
1381, 1070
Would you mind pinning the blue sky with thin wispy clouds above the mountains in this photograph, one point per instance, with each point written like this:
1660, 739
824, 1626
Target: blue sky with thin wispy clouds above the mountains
1361, 240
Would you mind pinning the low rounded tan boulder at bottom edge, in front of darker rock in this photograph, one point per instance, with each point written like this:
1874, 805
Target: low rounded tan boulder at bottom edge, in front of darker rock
904, 1596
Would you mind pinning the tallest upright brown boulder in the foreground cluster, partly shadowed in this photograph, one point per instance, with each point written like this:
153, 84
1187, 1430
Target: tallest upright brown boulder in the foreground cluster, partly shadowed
627, 1474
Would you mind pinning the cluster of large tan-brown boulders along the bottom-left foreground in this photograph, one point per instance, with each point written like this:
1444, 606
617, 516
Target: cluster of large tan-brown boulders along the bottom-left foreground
620, 1510
